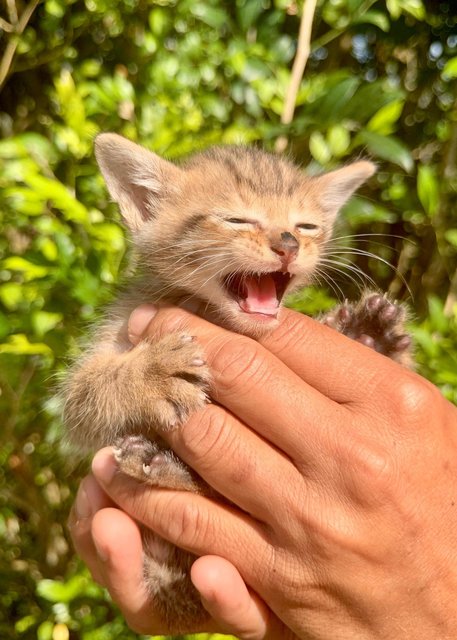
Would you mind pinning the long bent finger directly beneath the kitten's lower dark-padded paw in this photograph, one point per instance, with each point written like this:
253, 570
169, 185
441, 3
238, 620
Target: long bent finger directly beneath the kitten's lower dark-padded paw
190, 521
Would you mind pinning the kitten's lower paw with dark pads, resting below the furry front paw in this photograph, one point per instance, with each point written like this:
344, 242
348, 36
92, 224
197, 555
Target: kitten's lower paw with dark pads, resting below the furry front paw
154, 464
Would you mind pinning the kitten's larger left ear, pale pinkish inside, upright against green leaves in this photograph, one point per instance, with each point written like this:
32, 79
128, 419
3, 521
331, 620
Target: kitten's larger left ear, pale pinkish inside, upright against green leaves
136, 178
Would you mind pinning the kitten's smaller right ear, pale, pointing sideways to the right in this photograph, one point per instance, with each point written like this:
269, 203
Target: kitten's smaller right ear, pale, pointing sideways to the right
335, 188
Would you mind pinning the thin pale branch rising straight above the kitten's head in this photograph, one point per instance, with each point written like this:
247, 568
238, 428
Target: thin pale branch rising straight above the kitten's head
298, 68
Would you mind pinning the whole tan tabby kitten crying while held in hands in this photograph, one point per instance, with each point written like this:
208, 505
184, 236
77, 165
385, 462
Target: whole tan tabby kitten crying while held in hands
235, 228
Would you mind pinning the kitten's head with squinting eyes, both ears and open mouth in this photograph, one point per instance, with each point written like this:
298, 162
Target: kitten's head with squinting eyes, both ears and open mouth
235, 227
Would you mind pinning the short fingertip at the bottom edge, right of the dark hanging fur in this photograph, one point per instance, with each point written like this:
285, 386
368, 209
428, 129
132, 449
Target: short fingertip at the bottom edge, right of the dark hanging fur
238, 610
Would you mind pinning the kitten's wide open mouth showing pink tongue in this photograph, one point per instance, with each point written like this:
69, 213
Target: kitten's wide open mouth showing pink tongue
258, 293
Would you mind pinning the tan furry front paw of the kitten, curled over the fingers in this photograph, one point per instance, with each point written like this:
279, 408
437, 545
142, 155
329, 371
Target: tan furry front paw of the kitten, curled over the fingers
175, 378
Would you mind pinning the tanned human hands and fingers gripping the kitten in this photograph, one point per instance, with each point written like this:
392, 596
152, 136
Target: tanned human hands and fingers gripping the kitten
342, 469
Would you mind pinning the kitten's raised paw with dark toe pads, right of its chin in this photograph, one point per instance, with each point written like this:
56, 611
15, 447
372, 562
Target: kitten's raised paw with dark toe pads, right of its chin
377, 323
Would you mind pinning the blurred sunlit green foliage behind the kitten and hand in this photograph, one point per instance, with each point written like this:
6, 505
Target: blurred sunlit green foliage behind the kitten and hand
178, 76
